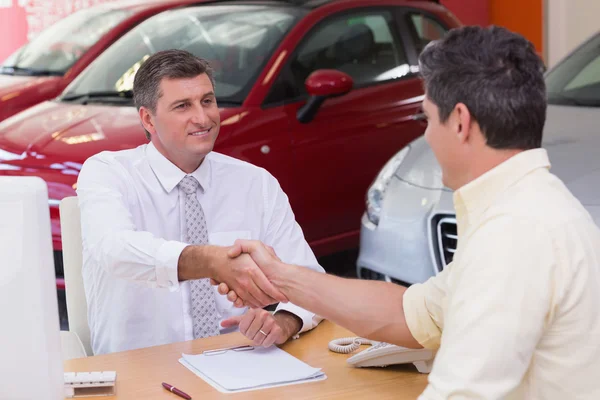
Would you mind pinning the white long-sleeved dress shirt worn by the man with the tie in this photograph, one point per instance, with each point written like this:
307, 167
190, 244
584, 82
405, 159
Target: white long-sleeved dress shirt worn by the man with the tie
133, 228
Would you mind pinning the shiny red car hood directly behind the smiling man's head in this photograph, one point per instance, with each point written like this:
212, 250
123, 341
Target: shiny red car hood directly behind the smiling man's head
57, 132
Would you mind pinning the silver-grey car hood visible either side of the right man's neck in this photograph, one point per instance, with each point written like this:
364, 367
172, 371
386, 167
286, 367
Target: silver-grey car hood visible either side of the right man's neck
571, 137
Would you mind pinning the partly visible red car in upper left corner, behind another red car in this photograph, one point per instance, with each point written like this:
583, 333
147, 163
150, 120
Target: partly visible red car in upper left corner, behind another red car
41, 69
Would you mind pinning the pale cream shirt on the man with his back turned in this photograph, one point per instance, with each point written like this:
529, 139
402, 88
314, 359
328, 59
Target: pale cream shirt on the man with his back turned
515, 315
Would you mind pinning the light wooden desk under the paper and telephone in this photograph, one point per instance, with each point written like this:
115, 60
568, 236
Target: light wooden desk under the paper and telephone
140, 372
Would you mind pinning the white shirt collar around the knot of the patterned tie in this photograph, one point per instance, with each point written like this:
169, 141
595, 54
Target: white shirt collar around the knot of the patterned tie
169, 175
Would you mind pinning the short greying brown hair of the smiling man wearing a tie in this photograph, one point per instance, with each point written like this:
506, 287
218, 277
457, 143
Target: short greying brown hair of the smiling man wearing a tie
171, 64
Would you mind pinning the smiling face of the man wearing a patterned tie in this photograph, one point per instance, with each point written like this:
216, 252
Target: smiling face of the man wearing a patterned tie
186, 123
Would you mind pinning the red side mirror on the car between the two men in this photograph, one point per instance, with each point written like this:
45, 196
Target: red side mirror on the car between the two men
321, 85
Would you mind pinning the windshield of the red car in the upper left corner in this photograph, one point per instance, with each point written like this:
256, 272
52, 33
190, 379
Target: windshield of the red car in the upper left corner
57, 48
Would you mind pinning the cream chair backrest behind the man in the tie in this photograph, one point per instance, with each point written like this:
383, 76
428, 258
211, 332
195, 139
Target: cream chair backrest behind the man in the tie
70, 223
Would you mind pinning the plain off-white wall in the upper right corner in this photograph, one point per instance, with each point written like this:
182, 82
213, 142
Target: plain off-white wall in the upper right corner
567, 24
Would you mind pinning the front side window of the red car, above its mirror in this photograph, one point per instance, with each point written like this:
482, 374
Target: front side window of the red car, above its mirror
363, 45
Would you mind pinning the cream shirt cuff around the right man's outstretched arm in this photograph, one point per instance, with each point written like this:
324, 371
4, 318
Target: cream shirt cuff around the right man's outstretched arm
419, 322
